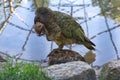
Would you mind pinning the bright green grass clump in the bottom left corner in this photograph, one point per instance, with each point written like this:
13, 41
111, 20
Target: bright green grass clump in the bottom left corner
23, 71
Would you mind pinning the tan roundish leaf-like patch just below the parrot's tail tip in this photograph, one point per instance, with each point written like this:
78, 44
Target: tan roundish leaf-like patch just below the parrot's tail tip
90, 57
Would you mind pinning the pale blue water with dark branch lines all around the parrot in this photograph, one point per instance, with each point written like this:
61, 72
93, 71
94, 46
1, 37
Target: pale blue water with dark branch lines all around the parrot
100, 20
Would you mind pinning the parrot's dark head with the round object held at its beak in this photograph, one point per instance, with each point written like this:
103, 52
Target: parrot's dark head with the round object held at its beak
43, 16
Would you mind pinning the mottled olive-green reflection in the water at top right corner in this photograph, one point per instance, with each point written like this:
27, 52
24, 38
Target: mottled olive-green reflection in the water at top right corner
111, 8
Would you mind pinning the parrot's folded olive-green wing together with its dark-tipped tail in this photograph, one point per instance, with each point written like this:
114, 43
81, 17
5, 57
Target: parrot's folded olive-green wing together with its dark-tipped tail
71, 29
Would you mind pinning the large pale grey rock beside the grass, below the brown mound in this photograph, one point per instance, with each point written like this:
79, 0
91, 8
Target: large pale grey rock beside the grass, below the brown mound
76, 70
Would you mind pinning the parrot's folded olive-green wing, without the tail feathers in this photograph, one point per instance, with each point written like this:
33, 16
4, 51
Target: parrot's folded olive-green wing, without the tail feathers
69, 27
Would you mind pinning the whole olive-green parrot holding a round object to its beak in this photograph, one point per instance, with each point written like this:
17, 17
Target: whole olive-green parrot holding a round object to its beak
60, 28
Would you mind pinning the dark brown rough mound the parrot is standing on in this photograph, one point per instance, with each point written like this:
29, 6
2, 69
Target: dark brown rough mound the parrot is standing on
63, 56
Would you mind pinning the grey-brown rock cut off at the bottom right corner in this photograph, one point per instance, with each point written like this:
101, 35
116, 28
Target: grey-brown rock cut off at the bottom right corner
111, 71
